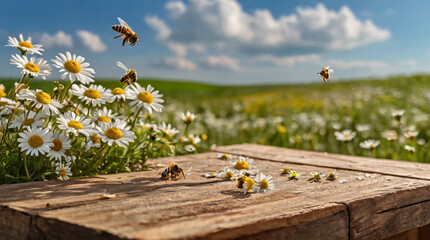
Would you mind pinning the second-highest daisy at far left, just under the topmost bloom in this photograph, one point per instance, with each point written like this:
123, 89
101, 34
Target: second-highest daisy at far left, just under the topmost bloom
34, 66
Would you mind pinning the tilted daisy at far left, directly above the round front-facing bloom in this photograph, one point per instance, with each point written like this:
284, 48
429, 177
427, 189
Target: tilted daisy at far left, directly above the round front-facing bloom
40, 100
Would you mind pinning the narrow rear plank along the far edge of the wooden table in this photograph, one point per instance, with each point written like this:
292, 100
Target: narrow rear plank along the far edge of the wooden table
412, 170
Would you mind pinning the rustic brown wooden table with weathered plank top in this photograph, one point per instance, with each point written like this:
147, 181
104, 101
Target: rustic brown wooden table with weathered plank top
391, 201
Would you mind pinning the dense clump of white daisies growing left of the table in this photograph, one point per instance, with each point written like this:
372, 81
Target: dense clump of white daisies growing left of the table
81, 128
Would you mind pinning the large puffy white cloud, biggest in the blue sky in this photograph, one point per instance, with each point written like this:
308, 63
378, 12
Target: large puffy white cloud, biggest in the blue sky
214, 22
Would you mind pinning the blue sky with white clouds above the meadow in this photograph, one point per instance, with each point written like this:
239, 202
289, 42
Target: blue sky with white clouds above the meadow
229, 42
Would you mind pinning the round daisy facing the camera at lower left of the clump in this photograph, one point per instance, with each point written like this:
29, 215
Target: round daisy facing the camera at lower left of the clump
35, 140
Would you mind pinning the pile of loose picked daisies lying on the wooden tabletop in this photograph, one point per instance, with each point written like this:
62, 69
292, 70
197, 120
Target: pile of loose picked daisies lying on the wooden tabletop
248, 176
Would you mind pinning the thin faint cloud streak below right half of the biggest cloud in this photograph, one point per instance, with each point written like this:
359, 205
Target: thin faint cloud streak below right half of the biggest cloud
287, 61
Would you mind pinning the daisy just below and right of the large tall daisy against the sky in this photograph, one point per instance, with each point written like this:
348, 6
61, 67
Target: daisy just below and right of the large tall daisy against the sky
94, 95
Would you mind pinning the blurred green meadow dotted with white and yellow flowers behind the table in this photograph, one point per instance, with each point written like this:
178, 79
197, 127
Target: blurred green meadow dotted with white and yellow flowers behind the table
304, 116
